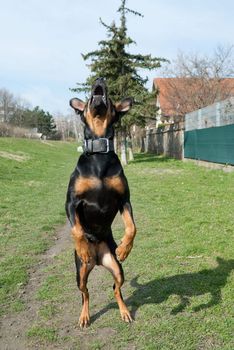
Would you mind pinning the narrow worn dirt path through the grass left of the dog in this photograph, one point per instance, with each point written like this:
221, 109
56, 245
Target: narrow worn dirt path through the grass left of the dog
12, 328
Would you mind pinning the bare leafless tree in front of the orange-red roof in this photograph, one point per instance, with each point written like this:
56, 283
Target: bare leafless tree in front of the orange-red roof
195, 81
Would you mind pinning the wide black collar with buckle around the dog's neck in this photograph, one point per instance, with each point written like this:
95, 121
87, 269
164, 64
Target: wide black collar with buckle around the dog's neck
101, 145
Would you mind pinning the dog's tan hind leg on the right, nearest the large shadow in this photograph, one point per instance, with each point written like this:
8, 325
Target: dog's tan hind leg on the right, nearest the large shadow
109, 261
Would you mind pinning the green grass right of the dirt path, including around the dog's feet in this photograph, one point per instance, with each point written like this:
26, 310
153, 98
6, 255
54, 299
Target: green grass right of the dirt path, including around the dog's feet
178, 277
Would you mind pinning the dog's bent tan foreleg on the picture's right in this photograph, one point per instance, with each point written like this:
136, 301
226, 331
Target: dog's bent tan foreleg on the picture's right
127, 241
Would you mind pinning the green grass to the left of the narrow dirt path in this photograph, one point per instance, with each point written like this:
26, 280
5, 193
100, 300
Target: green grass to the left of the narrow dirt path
31, 206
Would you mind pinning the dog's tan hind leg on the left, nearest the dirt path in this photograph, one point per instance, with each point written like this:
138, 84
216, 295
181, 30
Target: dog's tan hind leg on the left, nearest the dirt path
82, 273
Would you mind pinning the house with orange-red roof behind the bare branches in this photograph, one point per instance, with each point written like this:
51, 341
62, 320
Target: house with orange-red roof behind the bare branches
178, 96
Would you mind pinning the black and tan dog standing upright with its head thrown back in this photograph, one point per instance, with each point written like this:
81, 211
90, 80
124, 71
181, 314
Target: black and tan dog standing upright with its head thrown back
98, 189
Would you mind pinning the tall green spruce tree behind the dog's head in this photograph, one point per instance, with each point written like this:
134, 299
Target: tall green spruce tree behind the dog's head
120, 69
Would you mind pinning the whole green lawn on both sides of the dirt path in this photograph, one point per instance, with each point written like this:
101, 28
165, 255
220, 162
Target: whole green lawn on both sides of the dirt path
178, 276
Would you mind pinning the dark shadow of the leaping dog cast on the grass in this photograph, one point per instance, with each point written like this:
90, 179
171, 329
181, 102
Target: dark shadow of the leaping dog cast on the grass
184, 286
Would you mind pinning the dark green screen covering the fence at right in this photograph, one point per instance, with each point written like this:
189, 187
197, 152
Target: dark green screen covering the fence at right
210, 144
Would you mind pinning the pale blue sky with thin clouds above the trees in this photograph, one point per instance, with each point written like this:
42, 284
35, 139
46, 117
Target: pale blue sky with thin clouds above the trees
41, 41
